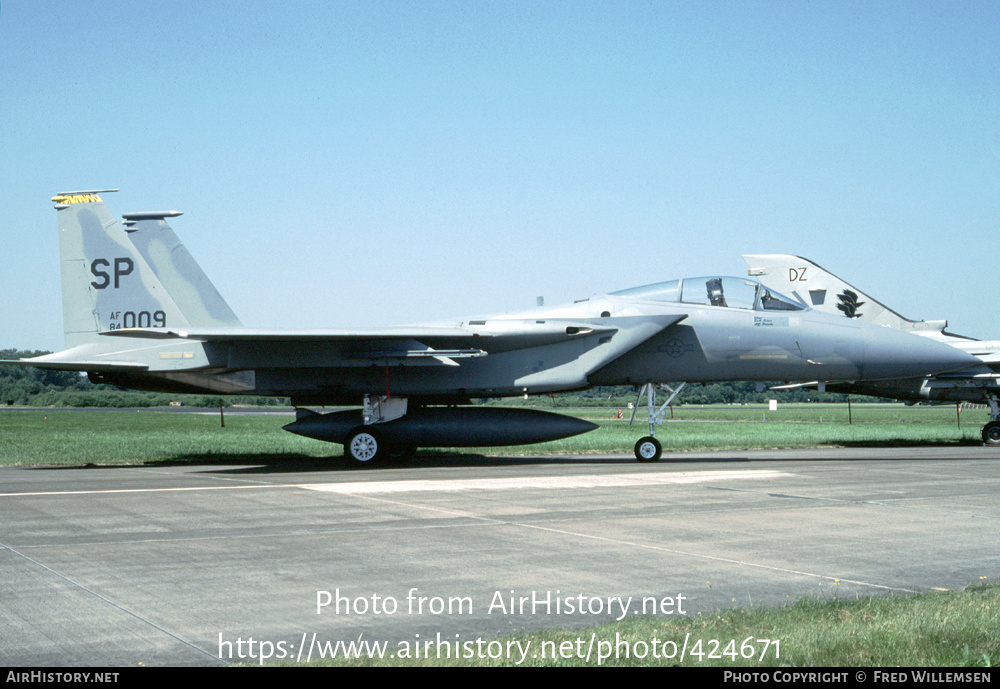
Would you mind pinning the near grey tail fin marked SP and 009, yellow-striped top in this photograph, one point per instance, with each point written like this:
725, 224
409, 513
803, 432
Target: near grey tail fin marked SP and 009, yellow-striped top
106, 283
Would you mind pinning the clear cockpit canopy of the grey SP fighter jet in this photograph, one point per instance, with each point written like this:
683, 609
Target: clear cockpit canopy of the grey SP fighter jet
731, 292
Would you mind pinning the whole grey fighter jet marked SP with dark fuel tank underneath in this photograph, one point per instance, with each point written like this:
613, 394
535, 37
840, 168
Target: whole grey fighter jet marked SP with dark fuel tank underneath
140, 313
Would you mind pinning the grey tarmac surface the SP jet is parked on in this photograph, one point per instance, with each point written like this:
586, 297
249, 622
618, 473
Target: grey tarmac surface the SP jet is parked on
179, 565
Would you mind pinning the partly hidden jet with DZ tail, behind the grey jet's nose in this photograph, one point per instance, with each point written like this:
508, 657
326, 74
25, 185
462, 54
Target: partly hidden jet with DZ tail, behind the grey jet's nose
825, 292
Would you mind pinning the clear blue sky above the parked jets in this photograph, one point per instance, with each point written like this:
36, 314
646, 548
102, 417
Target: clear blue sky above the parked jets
361, 164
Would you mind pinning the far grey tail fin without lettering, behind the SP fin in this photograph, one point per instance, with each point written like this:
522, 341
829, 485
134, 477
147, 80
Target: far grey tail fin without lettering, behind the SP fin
177, 270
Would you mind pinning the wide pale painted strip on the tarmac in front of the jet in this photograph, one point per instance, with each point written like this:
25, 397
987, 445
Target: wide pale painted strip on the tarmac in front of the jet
543, 482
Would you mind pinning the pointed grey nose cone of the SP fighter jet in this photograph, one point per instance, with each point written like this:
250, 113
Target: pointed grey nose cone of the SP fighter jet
891, 353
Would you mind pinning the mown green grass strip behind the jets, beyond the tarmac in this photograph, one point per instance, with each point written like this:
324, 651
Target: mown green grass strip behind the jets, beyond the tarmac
46, 437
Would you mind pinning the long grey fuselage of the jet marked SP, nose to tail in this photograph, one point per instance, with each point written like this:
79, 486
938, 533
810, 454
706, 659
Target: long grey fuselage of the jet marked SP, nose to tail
708, 344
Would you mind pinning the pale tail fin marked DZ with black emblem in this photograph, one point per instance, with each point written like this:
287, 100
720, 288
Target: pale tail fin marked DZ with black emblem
824, 291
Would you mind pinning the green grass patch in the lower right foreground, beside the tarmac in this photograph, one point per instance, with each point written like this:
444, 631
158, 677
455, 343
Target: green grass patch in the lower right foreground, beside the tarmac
947, 629
